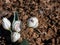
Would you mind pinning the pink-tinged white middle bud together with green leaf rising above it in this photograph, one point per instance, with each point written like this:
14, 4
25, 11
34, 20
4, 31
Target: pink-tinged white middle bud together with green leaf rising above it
16, 25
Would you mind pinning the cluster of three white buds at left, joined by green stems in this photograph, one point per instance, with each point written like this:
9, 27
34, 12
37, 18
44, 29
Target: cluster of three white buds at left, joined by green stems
16, 26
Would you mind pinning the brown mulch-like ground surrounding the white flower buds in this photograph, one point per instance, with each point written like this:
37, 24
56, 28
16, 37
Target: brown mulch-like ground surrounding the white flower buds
48, 14
